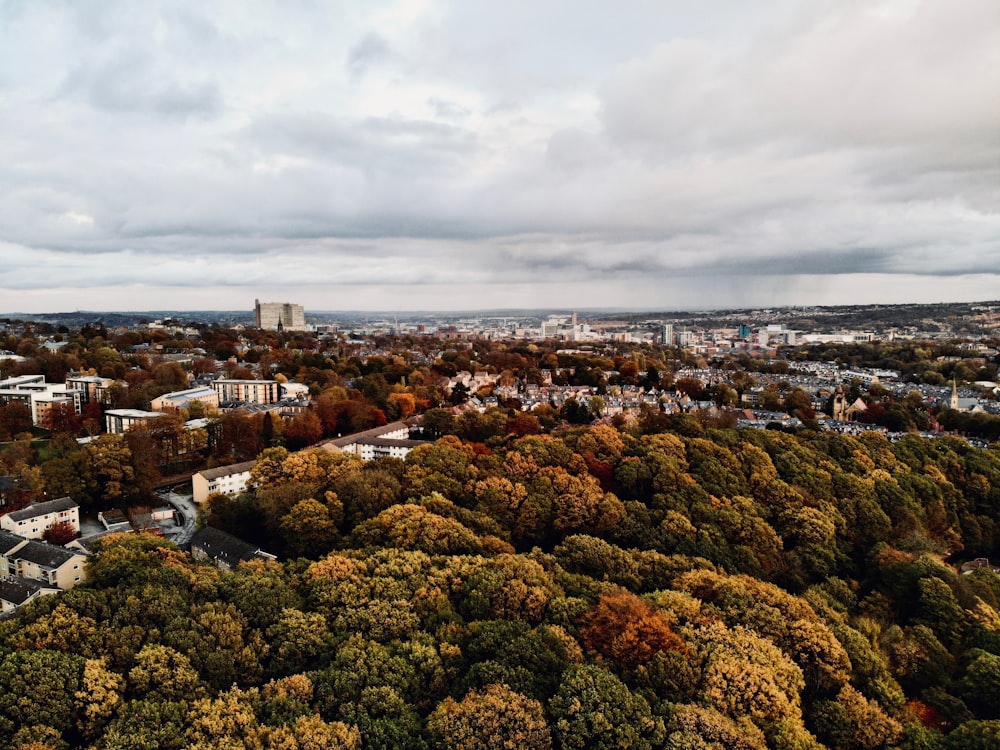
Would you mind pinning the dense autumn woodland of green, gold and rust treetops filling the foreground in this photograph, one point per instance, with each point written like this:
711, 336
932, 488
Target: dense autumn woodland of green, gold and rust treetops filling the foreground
591, 588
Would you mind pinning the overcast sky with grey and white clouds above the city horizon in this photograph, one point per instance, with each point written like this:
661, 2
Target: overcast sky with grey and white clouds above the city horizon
432, 155
